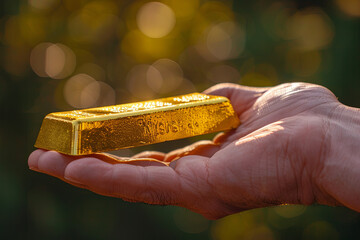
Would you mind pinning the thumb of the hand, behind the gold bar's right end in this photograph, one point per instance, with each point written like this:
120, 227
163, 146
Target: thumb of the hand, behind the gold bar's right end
241, 97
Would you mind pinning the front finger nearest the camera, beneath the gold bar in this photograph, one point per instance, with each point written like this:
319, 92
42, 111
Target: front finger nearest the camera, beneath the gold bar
152, 184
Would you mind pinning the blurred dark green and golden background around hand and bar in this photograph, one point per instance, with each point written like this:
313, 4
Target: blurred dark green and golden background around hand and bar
61, 55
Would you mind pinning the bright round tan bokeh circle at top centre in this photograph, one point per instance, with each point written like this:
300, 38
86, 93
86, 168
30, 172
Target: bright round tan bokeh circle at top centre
155, 19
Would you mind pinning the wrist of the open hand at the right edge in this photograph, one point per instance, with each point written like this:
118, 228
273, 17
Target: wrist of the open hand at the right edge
339, 176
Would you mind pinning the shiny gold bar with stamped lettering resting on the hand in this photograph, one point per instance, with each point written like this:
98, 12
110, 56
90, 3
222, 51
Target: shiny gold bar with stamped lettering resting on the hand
110, 128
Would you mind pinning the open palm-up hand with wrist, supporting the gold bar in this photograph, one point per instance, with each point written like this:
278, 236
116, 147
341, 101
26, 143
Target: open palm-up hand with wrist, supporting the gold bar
297, 145
